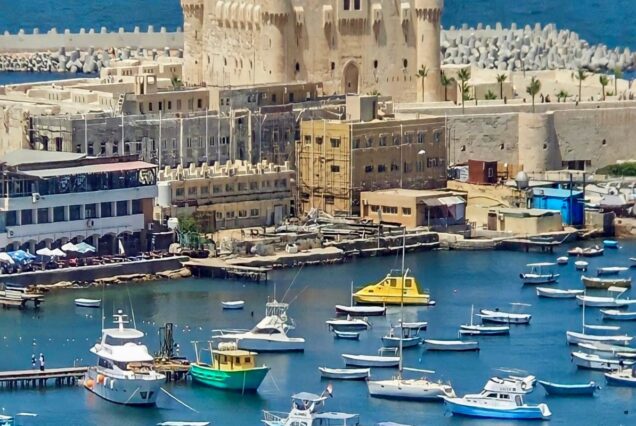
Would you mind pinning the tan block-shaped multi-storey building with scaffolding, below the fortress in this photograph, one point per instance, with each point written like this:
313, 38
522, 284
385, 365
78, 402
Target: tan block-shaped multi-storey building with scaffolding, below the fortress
337, 159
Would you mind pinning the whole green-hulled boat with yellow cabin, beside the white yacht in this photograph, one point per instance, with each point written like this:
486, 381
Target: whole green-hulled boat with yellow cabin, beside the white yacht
230, 368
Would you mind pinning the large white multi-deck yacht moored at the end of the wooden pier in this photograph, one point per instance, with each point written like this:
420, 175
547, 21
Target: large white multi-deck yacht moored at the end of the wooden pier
125, 372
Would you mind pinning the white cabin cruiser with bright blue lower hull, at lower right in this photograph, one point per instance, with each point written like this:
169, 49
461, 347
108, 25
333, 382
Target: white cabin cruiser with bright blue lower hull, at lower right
496, 401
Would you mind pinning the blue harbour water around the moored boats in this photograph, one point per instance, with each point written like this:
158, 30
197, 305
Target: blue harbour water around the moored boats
456, 280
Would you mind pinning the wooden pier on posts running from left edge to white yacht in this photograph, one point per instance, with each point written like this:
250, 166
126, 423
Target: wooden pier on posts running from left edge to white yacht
37, 378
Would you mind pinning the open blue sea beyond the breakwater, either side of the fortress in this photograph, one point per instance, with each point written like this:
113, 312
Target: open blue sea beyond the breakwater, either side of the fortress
611, 23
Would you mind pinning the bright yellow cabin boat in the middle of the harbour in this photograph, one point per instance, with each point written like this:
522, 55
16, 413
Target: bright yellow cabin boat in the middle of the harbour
388, 292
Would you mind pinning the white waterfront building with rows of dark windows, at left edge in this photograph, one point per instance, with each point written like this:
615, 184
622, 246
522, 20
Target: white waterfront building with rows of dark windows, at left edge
50, 198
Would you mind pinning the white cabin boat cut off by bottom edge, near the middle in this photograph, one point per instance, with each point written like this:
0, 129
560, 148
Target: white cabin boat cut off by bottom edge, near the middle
306, 411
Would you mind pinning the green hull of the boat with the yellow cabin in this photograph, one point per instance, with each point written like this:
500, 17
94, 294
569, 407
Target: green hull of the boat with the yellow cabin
242, 381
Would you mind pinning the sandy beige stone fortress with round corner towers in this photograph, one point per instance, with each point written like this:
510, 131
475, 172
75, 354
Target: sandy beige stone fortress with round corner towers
352, 46
